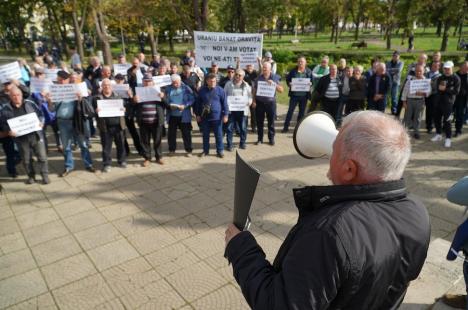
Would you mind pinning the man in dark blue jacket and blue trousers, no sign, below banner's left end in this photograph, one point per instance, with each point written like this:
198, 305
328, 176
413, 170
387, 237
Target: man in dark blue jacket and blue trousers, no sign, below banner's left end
212, 112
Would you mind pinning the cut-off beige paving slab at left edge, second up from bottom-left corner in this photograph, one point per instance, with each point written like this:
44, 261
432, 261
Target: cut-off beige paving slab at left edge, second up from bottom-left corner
16, 263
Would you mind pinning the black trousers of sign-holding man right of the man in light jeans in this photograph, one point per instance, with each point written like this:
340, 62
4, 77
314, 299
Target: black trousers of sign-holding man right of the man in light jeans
113, 134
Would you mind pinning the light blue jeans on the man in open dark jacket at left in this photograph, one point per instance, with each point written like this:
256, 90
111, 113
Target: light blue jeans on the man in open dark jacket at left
68, 136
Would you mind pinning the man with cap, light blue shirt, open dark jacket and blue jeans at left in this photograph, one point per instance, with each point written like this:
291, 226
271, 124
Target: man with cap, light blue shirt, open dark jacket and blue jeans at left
71, 121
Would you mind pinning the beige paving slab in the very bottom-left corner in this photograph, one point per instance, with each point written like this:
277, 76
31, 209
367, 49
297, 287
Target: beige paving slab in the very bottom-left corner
21, 287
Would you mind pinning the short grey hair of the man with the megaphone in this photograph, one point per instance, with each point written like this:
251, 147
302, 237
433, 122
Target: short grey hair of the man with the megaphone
377, 142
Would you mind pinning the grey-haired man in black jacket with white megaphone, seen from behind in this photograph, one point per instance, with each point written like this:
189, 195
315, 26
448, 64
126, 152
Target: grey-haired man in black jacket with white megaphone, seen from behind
357, 243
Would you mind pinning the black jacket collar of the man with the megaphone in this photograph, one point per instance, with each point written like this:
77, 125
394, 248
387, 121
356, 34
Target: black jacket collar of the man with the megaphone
312, 198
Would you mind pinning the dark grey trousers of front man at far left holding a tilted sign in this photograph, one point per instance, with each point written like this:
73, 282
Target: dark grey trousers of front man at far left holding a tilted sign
33, 145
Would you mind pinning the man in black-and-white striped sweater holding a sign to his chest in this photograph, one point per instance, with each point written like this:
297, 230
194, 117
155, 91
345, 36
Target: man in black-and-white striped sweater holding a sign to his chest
150, 118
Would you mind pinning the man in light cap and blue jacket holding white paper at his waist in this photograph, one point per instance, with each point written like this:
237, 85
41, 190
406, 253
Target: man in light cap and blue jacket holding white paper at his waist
179, 99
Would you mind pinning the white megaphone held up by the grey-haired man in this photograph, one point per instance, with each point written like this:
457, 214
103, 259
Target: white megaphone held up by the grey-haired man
314, 135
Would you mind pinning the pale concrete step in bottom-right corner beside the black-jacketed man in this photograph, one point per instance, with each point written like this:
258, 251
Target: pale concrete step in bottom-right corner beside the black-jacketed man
438, 276
